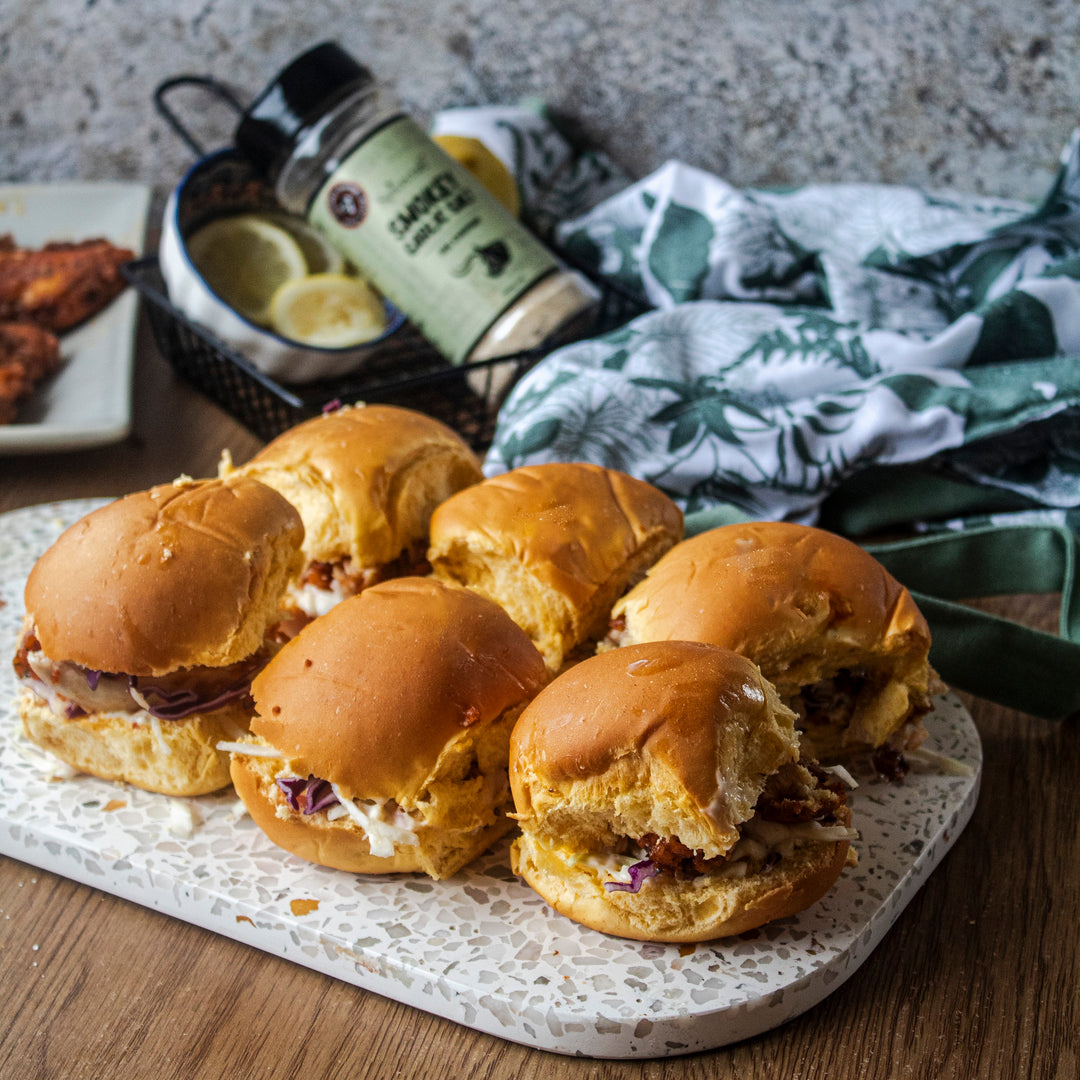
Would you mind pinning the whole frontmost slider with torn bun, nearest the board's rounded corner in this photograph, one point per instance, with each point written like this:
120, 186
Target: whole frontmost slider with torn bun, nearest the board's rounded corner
663, 796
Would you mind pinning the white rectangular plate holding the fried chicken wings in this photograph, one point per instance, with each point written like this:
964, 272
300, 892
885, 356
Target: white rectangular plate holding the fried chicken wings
88, 403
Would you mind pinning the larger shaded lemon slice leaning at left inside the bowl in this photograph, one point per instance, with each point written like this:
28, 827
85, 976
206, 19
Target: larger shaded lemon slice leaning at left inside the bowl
246, 260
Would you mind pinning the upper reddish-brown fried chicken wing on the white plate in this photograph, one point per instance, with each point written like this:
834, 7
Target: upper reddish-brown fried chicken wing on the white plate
62, 285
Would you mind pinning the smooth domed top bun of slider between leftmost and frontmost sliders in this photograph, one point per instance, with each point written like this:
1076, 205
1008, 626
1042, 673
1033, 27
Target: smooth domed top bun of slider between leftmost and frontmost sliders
377, 693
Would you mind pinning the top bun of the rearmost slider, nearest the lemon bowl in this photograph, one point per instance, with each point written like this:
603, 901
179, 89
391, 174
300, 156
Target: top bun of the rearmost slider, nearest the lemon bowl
366, 480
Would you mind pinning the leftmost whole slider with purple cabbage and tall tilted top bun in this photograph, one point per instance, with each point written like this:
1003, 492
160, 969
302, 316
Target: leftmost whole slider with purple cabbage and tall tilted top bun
145, 625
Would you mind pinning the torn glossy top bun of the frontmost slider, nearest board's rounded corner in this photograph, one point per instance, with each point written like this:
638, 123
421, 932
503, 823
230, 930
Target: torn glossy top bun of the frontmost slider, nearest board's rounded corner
673, 738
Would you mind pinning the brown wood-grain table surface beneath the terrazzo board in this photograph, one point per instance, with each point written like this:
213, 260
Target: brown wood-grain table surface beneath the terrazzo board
979, 977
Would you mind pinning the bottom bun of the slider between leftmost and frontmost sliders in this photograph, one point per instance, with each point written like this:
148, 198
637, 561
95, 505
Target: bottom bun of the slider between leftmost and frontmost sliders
341, 844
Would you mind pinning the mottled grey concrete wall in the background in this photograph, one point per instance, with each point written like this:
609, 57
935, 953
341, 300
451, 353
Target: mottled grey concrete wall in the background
980, 96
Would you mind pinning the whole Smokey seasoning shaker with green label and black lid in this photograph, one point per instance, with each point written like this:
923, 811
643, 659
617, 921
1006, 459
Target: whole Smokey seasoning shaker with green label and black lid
341, 152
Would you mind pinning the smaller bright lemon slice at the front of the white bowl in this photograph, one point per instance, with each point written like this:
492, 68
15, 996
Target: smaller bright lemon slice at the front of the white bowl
329, 310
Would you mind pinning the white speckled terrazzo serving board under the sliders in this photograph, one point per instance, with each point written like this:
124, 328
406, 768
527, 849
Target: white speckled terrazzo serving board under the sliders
482, 949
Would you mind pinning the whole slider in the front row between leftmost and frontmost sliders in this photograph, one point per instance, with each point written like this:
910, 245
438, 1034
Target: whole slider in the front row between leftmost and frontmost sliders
382, 737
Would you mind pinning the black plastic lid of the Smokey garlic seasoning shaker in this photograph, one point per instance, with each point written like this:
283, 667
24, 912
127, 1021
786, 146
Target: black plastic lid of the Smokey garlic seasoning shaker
299, 96
